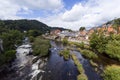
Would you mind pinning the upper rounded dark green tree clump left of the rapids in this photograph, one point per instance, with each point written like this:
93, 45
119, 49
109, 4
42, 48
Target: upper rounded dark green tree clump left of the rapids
11, 38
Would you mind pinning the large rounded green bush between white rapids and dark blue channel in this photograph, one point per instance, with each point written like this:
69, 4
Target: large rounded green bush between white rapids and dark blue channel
41, 46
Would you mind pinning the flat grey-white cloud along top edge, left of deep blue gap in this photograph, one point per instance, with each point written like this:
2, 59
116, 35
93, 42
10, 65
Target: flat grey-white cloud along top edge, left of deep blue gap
40, 4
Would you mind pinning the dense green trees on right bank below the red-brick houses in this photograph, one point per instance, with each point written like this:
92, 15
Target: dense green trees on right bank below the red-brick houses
106, 44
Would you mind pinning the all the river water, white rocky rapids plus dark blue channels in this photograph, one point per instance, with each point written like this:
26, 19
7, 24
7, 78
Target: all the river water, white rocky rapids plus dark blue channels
28, 67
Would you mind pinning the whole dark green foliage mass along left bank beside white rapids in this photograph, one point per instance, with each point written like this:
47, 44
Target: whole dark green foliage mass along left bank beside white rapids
11, 39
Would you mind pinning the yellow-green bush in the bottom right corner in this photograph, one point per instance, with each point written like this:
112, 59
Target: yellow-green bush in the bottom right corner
112, 73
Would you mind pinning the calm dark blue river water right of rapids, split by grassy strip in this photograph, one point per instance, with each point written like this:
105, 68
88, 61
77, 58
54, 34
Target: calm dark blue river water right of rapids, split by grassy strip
59, 69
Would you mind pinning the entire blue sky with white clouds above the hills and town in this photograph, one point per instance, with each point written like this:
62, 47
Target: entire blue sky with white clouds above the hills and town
71, 14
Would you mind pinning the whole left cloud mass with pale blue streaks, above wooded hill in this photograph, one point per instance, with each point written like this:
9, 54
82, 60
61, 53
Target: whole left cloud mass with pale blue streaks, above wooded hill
9, 9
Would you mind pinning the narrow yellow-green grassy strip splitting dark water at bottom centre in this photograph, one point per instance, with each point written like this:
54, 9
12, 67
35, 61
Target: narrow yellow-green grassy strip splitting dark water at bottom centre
81, 76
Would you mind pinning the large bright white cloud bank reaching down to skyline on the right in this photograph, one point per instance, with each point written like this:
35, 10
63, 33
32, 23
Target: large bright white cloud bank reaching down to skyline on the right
90, 14
